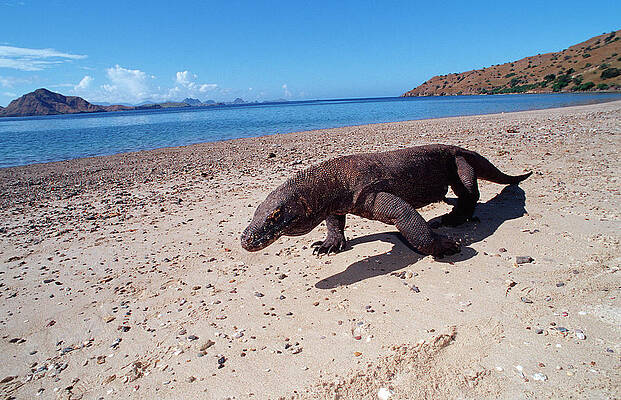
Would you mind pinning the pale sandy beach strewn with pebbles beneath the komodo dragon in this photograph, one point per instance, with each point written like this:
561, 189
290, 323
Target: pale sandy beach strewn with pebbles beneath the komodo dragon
123, 277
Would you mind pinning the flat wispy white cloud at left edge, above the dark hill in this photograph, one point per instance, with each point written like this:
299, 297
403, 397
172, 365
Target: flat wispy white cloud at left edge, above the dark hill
33, 59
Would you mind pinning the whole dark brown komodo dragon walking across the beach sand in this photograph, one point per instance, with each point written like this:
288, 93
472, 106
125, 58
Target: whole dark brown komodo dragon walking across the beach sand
386, 187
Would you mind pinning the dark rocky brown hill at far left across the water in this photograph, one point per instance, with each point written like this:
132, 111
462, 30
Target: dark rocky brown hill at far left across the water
45, 102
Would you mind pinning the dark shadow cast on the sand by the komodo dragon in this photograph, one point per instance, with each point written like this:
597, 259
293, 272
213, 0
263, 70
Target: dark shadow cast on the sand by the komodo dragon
508, 204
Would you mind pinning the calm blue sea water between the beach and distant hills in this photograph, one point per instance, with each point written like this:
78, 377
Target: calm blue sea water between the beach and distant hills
53, 138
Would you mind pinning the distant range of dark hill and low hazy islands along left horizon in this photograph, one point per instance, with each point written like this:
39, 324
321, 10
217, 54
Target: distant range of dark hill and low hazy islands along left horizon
45, 102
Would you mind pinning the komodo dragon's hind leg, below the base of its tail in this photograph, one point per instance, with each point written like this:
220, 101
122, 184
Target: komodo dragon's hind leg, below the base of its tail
467, 190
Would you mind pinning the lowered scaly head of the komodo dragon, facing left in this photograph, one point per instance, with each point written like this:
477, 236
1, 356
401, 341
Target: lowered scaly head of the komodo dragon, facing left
282, 213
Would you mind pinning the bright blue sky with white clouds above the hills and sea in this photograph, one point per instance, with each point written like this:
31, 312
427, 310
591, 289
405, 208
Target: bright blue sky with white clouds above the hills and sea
127, 52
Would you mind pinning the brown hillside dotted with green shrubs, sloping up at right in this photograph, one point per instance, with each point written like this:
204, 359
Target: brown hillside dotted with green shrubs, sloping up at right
597, 60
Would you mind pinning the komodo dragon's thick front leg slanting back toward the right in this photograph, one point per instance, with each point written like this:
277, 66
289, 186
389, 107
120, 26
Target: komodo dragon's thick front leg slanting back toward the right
392, 210
